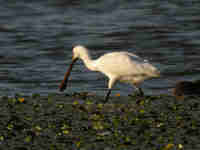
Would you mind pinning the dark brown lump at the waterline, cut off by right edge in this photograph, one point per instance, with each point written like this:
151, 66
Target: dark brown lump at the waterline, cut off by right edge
183, 88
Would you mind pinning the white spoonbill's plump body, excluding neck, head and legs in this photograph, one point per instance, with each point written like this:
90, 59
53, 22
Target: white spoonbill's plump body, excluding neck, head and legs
125, 67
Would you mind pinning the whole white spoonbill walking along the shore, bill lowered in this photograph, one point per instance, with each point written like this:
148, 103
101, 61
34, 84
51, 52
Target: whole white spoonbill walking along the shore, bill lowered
117, 66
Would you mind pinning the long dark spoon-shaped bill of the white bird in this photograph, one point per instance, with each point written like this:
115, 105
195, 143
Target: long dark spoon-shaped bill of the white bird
63, 84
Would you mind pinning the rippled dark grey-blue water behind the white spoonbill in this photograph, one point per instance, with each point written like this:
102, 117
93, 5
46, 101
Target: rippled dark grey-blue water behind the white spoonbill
36, 39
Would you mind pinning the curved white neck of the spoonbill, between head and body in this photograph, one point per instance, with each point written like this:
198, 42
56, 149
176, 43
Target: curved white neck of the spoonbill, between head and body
89, 63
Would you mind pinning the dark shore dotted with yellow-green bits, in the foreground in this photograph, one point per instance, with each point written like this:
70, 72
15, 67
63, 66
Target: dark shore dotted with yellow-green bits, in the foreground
83, 122
